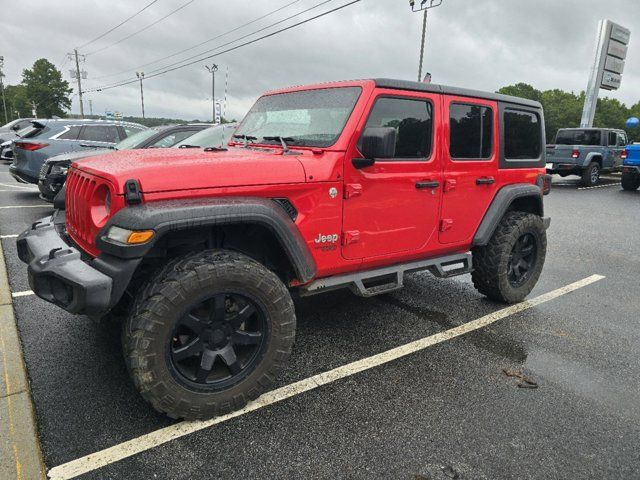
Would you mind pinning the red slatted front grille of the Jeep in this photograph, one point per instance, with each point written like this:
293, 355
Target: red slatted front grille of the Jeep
80, 188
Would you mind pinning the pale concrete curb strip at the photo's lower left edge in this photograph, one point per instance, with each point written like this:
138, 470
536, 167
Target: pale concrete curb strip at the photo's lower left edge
20, 454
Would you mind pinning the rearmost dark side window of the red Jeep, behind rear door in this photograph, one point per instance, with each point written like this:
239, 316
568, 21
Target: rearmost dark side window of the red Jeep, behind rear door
522, 135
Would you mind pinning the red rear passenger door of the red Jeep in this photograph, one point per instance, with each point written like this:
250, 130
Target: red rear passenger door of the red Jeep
470, 165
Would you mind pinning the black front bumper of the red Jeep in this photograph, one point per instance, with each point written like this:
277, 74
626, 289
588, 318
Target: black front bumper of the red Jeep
59, 274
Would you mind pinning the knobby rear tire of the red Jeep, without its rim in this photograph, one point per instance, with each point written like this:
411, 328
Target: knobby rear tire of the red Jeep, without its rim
491, 262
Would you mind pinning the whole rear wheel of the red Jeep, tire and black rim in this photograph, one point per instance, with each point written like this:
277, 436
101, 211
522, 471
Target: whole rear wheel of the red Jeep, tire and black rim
508, 267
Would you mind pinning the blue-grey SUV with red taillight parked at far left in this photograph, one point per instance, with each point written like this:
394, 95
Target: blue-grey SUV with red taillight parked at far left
46, 138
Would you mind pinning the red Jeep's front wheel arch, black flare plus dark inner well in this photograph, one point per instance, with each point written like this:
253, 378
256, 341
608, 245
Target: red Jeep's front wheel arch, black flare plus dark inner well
207, 220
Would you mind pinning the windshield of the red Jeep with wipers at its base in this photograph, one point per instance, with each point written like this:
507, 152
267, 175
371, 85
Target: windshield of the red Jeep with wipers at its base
313, 118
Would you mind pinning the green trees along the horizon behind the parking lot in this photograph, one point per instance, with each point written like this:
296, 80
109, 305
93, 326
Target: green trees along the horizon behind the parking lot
43, 88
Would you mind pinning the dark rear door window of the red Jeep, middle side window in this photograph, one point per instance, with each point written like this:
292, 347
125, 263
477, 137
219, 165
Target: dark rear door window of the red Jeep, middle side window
471, 132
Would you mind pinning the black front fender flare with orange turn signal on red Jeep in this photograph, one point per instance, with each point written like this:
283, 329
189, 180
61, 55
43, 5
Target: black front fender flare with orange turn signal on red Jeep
173, 215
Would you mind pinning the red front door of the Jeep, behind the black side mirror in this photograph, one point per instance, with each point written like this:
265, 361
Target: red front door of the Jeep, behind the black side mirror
393, 206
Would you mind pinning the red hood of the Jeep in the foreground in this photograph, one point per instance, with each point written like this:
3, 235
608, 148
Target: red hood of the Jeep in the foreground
166, 169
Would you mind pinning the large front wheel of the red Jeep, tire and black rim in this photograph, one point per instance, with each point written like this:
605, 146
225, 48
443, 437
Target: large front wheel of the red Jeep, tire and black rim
209, 333
